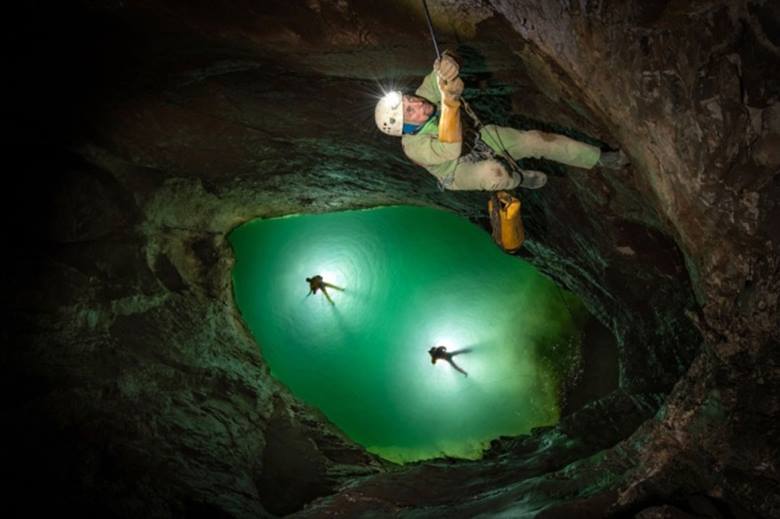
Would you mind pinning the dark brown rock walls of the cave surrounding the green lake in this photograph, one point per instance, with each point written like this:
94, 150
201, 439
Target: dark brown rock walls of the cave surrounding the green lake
146, 131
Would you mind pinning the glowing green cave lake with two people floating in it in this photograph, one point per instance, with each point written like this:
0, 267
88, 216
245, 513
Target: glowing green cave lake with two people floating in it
412, 278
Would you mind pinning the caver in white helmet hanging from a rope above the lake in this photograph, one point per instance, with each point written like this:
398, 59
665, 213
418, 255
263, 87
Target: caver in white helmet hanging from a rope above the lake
429, 125
